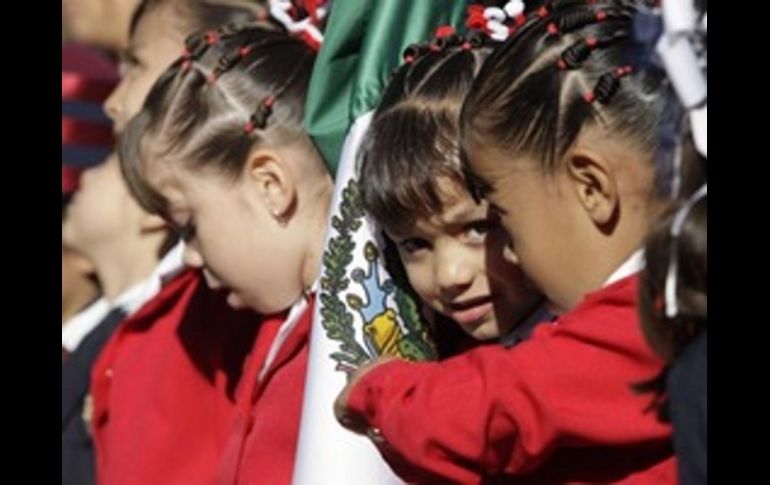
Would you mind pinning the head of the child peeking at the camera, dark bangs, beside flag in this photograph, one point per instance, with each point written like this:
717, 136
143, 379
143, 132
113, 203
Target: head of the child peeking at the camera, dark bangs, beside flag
412, 185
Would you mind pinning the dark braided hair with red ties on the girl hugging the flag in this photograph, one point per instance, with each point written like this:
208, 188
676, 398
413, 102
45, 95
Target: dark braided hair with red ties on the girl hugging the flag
563, 70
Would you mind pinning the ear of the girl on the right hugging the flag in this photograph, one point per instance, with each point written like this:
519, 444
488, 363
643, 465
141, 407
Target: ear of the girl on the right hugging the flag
595, 184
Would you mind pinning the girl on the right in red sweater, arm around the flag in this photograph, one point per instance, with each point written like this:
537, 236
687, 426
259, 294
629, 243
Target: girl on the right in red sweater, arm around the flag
560, 134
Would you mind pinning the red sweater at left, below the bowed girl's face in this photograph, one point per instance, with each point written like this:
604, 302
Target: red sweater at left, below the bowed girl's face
164, 387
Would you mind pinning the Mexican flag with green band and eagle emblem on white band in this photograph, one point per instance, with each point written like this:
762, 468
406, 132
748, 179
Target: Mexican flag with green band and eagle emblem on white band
360, 312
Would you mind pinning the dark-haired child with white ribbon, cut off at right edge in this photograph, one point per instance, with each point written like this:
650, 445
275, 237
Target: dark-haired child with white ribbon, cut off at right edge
673, 301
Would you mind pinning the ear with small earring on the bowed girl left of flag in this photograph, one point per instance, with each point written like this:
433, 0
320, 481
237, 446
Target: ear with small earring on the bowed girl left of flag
269, 174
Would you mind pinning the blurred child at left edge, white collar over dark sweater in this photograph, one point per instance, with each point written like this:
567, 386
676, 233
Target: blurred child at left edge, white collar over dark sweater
129, 249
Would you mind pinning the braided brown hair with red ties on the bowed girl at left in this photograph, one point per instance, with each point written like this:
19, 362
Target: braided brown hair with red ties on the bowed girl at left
233, 89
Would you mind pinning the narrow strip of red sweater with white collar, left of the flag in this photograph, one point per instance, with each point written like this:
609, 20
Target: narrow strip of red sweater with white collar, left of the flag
262, 446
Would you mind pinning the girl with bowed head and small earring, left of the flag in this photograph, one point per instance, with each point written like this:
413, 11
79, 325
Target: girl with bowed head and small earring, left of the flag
220, 151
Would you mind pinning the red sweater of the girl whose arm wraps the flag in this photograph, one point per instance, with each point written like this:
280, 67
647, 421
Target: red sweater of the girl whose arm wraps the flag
557, 408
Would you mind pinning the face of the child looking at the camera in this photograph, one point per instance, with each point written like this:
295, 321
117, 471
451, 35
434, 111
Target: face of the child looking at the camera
454, 261
